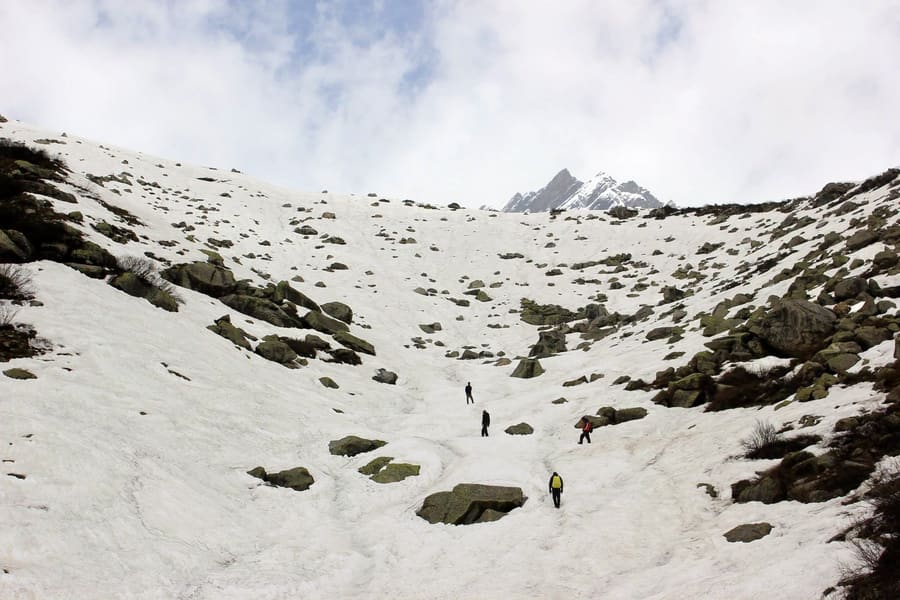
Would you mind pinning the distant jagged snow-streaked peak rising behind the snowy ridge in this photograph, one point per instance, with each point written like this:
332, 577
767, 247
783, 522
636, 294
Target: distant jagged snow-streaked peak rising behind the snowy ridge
599, 193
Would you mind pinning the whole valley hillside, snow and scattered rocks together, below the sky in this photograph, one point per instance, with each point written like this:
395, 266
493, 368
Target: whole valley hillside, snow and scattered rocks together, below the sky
215, 387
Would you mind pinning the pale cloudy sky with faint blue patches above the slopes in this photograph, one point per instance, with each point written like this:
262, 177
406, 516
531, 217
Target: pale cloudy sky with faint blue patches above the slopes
470, 101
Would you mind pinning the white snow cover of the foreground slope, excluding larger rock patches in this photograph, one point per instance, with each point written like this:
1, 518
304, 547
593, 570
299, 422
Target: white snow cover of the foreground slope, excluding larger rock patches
136, 435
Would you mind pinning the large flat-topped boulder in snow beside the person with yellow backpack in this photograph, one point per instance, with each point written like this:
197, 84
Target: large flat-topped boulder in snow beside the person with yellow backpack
469, 502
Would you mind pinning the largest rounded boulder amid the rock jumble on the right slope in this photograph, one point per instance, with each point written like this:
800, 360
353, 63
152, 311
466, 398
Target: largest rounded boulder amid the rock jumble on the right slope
796, 328
